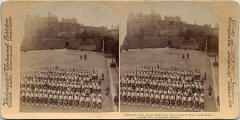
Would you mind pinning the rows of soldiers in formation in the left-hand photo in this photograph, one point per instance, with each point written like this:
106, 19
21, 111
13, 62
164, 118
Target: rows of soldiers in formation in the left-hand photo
65, 87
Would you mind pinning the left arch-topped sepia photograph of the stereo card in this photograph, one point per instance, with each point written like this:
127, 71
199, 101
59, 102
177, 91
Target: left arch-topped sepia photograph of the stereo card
69, 59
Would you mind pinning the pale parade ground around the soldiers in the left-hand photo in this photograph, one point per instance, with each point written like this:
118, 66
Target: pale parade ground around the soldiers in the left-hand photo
71, 58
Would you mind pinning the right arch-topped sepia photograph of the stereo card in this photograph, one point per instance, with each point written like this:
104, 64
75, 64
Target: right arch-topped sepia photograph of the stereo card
169, 58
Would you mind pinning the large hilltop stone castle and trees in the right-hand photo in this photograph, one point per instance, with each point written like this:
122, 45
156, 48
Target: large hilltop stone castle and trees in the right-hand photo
153, 31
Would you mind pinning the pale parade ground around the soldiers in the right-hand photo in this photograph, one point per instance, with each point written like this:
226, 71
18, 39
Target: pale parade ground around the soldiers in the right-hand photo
172, 57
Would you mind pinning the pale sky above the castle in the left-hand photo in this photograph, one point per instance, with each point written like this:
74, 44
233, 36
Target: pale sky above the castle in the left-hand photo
87, 14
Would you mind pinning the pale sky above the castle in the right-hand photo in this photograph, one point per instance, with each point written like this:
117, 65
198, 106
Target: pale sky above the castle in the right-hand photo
189, 12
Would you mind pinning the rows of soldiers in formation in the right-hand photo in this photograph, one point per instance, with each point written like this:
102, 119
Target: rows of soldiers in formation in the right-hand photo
164, 86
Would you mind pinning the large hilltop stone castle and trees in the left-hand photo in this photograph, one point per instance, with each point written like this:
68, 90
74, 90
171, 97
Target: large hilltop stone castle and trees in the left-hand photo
52, 33
